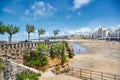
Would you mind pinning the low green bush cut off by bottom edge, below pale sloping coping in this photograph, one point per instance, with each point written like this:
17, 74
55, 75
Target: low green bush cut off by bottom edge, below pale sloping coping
27, 75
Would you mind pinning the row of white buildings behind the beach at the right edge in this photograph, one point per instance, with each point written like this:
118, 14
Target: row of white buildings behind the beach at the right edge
106, 34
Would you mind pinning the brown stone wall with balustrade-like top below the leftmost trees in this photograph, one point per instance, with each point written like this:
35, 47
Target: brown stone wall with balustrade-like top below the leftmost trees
14, 51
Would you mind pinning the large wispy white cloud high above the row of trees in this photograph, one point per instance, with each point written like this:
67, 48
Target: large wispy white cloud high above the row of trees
40, 9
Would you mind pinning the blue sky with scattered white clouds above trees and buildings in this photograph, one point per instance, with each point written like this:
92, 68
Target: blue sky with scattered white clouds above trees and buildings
69, 16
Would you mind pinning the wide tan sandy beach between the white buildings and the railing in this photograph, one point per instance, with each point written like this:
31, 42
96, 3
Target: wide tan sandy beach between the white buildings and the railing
101, 56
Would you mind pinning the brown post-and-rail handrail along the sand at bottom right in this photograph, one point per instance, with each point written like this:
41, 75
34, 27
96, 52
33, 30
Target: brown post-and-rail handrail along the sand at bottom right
93, 75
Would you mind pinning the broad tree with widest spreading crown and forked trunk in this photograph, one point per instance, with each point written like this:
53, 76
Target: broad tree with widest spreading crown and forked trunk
10, 29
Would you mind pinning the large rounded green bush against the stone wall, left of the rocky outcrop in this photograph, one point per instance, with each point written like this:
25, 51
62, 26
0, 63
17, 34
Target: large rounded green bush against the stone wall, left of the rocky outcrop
37, 57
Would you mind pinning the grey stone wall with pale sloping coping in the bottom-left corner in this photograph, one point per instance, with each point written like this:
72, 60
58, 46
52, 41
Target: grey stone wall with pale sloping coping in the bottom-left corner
10, 69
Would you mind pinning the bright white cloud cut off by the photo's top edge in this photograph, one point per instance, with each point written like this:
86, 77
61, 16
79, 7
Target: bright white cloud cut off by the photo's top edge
80, 3
